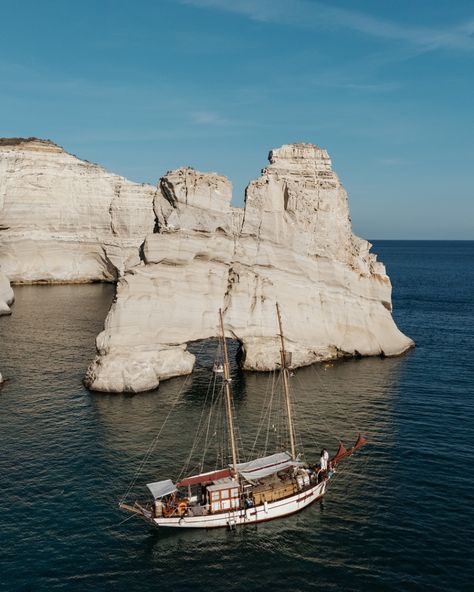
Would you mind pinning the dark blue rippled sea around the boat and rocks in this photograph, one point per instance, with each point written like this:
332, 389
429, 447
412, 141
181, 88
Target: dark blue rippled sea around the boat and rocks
398, 515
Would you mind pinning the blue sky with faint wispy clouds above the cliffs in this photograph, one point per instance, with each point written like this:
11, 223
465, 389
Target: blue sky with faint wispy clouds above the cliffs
142, 87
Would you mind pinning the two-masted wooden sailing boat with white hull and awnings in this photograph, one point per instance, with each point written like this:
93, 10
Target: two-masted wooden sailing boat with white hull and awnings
242, 493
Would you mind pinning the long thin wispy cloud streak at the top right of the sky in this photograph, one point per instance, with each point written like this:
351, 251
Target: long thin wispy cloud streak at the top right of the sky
317, 15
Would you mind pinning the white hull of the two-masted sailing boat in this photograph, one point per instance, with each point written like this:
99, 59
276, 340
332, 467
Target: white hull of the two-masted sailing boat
267, 511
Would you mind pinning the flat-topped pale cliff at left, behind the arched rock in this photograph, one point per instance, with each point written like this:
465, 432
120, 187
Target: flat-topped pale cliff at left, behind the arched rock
63, 219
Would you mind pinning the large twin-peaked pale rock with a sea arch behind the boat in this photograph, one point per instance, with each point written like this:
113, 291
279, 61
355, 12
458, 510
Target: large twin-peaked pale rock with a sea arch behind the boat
291, 244
